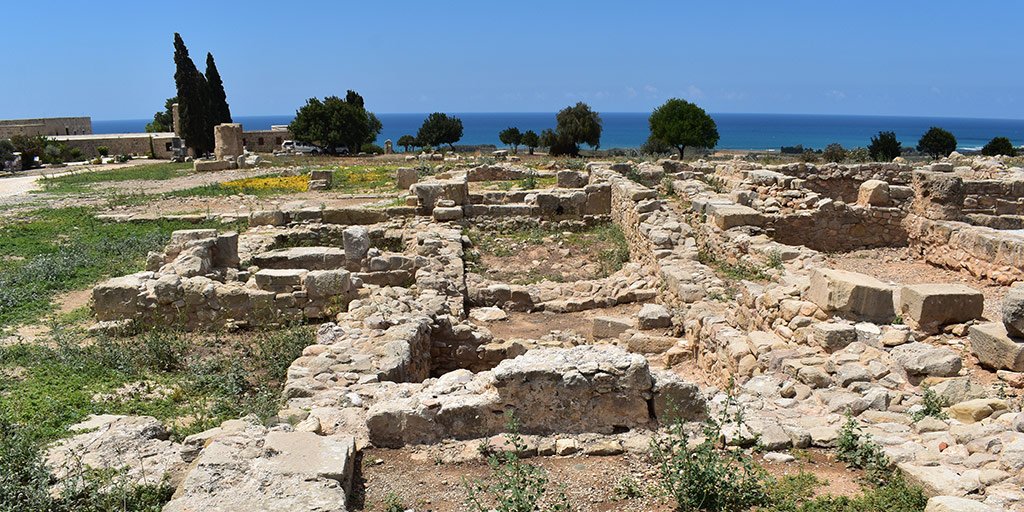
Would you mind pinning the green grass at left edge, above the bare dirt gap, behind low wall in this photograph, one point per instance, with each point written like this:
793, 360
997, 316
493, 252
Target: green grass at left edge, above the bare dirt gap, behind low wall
50, 251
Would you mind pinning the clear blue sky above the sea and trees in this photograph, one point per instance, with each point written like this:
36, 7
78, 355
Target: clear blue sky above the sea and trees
911, 58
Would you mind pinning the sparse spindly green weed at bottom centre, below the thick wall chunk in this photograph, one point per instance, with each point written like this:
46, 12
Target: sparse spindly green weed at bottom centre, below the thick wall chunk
515, 486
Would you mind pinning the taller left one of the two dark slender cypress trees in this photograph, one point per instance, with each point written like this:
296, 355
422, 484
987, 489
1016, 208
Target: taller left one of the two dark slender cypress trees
194, 101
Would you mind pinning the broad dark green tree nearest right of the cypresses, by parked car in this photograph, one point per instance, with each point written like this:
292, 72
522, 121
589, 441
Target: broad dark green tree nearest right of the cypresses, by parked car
336, 122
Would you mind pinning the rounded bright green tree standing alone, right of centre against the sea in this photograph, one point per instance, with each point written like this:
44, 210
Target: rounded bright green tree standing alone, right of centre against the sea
680, 123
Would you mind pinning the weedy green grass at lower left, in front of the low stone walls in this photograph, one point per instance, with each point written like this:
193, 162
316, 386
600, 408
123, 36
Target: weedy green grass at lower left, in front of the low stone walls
193, 382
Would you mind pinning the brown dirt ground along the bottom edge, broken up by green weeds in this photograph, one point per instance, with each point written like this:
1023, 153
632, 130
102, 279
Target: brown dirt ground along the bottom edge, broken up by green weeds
591, 484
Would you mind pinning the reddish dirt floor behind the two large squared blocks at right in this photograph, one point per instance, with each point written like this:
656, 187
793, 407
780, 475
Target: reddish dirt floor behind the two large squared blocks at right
899, 267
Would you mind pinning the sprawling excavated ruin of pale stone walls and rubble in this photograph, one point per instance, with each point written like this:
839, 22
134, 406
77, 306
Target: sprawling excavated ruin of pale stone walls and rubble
403, 358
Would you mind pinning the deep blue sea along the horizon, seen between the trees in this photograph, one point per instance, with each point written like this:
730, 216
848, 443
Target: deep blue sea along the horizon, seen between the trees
738, 132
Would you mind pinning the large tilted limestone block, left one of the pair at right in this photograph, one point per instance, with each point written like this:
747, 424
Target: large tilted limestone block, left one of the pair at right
851, 295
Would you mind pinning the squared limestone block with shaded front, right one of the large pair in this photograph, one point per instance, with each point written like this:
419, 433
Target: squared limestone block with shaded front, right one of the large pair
928, 308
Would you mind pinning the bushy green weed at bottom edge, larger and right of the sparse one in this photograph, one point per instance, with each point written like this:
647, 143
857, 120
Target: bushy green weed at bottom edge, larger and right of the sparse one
710, 476
